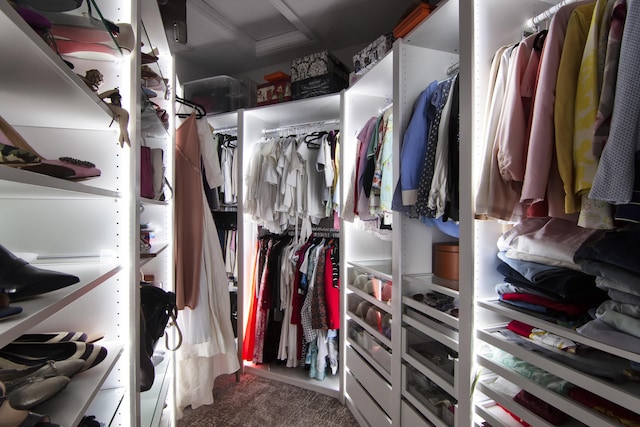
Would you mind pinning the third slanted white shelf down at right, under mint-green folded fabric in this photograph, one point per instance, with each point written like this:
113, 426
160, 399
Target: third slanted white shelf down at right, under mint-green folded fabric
565, 404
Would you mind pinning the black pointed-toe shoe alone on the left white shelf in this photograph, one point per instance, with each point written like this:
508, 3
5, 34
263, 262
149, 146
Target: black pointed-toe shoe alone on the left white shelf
20, 280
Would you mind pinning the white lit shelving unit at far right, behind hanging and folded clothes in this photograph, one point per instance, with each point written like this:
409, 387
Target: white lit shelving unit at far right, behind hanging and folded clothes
496, 23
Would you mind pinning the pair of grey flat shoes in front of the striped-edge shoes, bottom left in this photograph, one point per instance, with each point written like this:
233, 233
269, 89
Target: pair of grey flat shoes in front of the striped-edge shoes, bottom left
28, 388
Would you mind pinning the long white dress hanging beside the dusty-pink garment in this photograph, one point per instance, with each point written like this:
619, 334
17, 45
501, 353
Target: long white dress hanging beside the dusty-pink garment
208, 348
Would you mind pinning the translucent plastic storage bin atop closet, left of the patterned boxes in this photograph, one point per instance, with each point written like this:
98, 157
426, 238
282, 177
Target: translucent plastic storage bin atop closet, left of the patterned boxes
221, 94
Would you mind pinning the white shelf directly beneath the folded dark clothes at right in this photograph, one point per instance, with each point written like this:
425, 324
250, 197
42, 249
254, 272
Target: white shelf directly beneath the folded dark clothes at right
495, 306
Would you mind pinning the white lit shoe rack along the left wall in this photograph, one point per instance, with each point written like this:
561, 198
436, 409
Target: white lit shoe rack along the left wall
87, 228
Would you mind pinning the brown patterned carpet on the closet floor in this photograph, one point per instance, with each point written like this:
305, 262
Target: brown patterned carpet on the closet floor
261, 402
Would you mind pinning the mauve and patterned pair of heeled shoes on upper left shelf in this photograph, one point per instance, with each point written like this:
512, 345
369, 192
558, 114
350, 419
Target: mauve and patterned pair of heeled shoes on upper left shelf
63, 167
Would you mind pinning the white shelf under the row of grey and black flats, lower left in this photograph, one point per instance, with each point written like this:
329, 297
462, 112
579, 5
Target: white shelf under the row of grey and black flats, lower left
81, 390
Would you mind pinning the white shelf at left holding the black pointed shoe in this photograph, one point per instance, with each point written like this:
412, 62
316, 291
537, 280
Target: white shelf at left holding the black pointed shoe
37, 309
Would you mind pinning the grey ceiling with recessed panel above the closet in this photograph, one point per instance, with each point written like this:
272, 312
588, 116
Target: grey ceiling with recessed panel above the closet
232, 37
